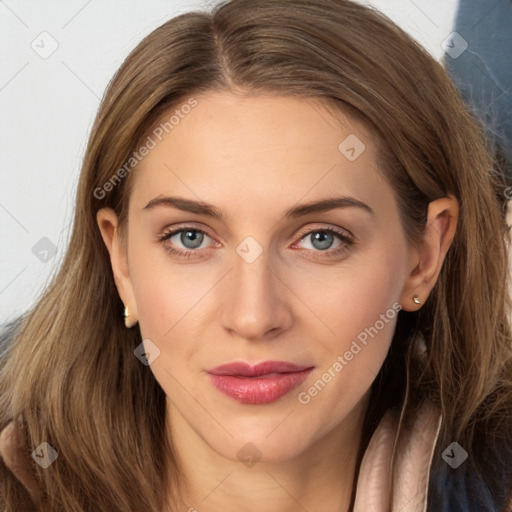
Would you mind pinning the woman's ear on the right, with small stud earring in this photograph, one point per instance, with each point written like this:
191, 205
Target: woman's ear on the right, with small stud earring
426, 260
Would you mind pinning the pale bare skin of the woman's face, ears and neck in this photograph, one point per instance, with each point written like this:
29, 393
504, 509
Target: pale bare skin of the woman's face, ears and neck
253, 158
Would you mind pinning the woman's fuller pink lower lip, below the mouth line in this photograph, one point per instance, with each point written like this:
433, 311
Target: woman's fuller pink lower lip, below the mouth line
259, 390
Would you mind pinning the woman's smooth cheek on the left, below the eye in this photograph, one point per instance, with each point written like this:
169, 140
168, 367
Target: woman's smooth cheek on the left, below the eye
174, 304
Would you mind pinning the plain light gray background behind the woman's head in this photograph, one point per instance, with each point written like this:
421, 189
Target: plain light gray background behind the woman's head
47, 107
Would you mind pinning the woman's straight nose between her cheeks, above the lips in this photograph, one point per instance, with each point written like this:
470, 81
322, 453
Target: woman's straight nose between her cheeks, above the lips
256, 300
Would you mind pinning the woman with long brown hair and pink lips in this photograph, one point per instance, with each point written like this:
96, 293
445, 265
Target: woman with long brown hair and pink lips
300, 223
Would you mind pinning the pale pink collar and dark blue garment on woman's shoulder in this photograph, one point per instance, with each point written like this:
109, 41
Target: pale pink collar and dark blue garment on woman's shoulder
405, 453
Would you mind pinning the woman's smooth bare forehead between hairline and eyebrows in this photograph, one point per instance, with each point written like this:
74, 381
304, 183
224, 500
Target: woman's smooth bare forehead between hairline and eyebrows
230, 148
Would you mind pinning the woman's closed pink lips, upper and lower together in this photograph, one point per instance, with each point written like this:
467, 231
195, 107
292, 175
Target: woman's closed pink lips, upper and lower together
259, 384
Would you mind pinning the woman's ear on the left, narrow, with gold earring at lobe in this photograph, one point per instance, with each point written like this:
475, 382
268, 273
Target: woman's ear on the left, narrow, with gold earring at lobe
108, 223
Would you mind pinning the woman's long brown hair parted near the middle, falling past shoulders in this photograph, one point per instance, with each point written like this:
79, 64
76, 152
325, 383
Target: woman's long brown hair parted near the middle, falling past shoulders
71, 375
